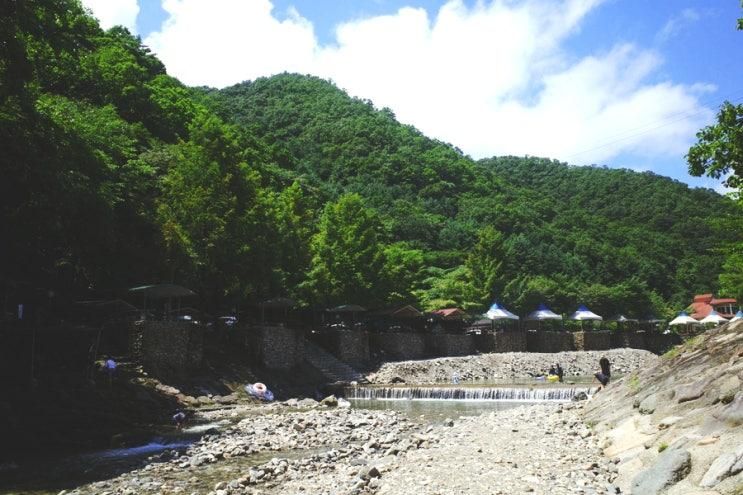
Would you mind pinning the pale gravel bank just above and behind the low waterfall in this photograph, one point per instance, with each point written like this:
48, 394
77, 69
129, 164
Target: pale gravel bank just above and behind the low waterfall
508, 367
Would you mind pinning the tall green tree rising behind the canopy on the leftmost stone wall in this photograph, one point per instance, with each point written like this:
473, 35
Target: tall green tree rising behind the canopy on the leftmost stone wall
208, 212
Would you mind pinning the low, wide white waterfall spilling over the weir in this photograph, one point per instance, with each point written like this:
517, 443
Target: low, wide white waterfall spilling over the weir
513, 394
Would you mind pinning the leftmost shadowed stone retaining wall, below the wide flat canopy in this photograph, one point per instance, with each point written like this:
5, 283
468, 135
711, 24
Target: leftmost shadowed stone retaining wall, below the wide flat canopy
167, 345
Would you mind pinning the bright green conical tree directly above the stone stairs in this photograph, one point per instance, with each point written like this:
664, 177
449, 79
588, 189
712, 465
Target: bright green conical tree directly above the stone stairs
347, 256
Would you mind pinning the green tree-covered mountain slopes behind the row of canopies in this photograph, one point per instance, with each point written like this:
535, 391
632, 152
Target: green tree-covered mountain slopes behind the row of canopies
115, 174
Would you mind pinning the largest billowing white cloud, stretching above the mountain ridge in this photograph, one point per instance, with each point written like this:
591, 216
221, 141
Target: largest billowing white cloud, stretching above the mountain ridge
491, 79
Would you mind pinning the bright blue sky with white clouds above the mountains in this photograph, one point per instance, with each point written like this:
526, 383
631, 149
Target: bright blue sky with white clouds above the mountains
622, 83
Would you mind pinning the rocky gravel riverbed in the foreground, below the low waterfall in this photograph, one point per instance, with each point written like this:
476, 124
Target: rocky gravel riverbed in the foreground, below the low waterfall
304, 447
